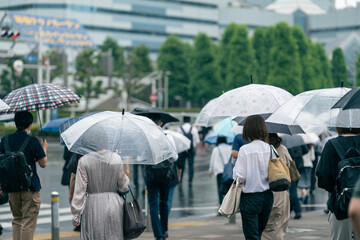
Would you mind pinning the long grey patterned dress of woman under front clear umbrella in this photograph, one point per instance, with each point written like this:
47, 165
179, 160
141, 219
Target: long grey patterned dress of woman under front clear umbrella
95, 203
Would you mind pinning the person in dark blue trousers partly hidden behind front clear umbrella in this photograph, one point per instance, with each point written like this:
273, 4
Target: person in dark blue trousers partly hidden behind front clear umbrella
158, 179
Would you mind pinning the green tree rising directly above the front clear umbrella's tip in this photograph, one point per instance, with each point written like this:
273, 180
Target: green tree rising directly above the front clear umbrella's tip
138, 65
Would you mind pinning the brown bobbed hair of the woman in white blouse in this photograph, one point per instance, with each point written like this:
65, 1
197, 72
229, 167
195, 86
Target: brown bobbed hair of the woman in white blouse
255, 128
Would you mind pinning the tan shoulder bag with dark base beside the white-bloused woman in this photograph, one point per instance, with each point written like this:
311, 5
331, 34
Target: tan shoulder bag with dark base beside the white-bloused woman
278, 173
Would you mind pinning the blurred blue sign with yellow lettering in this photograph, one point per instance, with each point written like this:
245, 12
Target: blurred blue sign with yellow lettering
54, 32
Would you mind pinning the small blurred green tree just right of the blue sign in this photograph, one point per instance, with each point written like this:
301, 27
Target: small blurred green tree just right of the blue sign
116, 52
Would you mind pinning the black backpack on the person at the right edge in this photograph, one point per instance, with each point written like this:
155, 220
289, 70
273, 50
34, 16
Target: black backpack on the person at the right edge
348, 174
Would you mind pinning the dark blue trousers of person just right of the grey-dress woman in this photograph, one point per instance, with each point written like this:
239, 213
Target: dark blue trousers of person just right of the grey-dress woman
158, 193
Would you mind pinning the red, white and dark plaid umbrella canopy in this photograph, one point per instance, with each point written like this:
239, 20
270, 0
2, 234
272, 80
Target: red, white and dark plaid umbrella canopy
39, 96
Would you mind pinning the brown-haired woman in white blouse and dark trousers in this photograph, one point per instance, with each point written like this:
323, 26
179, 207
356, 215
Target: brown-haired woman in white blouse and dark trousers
252, 170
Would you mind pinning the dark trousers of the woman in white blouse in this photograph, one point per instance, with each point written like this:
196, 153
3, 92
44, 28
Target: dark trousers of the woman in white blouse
255, 213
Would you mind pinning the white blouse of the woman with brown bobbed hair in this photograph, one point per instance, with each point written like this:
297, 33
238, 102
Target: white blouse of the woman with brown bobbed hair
252, 166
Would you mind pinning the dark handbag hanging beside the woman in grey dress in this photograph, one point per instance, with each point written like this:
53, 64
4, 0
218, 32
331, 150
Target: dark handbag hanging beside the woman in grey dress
134, 221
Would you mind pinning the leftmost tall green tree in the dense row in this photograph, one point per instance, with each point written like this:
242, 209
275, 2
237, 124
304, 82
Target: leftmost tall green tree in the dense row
172, 57
